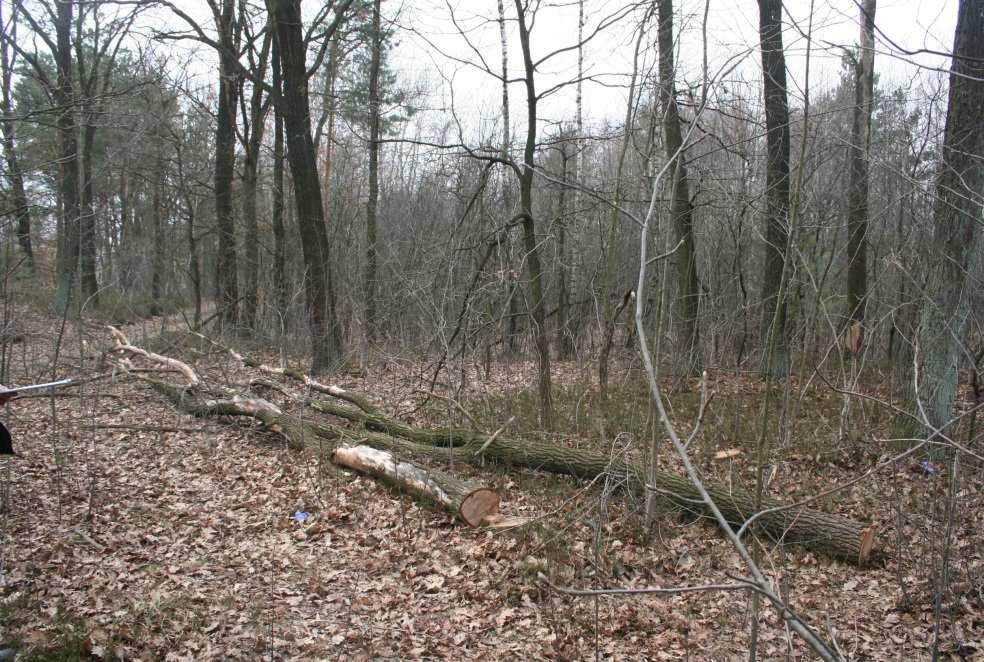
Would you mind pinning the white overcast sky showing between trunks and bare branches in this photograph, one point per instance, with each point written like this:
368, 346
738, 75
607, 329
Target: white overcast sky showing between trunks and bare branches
429, 41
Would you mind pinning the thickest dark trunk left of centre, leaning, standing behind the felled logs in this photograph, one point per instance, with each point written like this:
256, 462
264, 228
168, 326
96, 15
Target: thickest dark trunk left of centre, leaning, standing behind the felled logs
326, 334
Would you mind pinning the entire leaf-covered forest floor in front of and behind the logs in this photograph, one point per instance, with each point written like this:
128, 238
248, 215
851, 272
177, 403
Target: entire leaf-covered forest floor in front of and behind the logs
129, 530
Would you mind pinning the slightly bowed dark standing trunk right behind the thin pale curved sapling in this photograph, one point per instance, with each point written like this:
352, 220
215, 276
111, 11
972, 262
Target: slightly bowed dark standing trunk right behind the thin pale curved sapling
681, 211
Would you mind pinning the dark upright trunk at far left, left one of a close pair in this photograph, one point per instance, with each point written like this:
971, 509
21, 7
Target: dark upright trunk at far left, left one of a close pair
68, 245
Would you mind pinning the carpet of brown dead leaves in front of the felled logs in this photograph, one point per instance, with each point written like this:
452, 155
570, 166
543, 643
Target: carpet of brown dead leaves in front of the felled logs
184, 545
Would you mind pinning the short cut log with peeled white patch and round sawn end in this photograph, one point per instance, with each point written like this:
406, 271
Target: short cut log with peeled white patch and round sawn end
469, 503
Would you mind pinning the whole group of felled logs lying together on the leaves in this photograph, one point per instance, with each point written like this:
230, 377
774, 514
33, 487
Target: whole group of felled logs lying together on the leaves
832, 535
